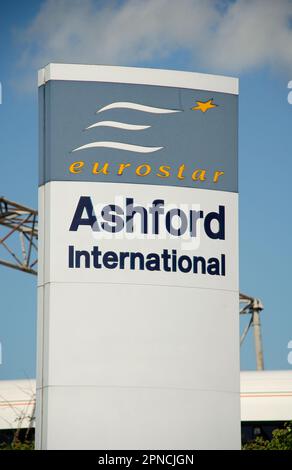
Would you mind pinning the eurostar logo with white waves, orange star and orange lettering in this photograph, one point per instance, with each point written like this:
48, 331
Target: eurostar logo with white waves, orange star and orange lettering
130, 131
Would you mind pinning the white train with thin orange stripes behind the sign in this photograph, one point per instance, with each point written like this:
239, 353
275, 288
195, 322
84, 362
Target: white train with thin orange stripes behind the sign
266, 404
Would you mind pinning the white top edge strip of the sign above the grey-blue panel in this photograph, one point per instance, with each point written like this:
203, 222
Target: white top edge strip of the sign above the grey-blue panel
138, 76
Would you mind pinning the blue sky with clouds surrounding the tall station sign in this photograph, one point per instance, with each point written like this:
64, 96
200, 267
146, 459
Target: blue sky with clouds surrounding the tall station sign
34, 33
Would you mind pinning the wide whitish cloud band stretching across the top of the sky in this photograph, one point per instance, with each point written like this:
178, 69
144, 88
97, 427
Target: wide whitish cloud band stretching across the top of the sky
229, 36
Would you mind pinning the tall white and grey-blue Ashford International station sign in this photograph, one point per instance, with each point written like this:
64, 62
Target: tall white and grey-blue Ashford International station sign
138, 339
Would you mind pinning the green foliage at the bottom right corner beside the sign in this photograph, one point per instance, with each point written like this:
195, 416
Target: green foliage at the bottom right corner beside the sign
281, 440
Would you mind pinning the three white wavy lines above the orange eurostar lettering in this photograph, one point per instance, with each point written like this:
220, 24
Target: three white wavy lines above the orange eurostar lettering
125, 126
